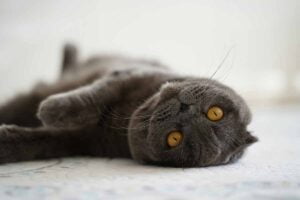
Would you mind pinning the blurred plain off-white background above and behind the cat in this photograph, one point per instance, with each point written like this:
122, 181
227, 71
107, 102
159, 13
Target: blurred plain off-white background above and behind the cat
258, 40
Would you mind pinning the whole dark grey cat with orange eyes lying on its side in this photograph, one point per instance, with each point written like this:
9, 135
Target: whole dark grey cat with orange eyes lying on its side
116, 106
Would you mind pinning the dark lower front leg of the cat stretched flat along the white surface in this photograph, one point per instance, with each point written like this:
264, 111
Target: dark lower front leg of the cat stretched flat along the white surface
21, 143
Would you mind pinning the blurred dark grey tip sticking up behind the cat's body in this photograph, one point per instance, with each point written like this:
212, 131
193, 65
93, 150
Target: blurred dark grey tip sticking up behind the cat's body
70, 55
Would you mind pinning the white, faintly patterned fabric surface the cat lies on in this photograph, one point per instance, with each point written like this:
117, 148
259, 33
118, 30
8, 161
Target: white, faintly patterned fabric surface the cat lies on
270, 170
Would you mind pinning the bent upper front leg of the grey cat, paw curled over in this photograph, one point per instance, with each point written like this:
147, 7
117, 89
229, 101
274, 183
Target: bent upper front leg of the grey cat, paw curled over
82, 106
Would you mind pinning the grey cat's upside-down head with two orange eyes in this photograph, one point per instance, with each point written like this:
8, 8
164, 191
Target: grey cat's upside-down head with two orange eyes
193, 123
